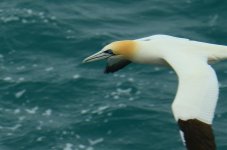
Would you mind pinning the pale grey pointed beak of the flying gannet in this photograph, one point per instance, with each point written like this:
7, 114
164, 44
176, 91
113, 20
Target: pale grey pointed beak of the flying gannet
96, 57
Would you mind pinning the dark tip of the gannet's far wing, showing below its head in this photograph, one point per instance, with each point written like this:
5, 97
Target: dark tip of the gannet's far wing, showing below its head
116, 63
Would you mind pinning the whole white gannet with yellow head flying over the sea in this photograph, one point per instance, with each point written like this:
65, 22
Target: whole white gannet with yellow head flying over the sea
197, 93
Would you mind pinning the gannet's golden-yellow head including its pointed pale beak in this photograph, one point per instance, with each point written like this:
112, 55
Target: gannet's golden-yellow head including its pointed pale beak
126, 49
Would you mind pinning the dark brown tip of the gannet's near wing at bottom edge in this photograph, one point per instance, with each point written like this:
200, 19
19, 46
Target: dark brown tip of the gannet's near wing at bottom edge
197, 135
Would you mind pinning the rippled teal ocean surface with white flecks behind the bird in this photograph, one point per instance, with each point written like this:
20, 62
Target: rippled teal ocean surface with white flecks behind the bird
49, 100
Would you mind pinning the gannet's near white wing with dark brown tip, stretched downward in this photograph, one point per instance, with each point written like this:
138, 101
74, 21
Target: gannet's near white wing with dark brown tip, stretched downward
196, 99
